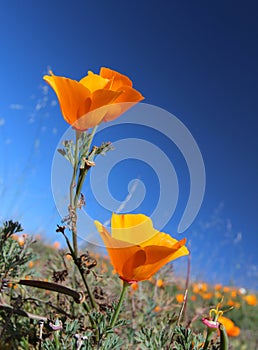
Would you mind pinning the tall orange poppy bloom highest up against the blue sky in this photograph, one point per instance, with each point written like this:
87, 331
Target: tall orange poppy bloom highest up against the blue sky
80, 101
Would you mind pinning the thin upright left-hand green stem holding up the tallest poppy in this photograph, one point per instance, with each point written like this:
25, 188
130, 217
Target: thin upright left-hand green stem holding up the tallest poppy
72, 204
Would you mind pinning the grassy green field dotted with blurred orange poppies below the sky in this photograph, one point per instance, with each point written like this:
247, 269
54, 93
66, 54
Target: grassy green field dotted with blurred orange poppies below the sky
153, 316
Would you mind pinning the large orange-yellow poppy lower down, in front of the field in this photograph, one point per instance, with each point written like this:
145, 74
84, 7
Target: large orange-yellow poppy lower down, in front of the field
136, 249
